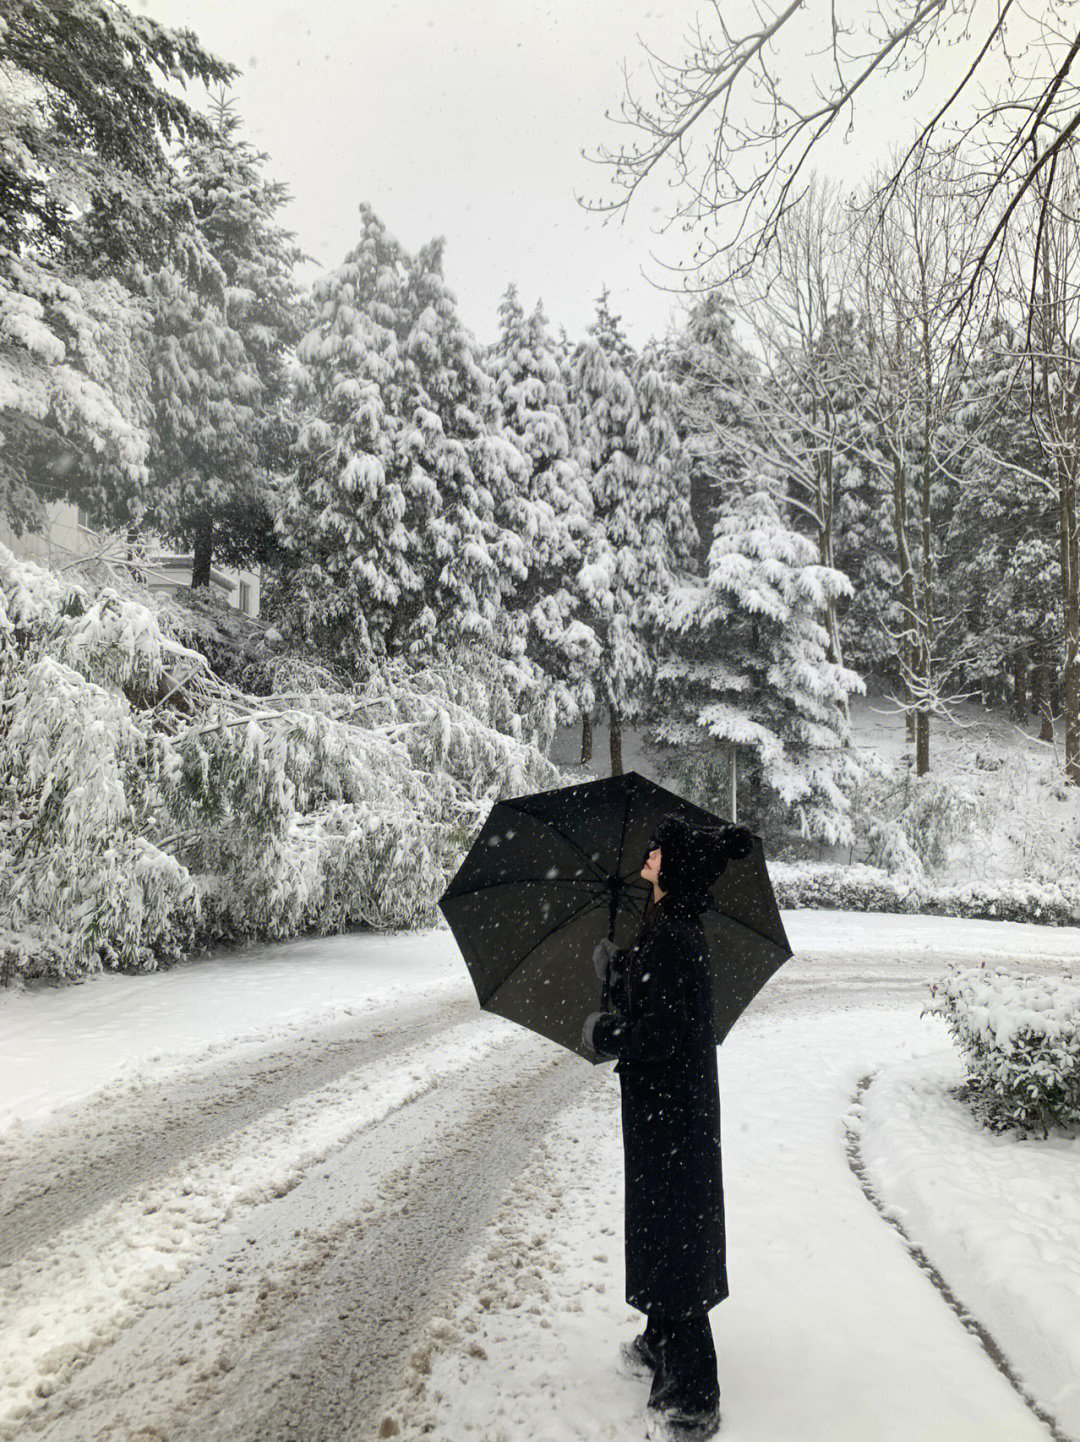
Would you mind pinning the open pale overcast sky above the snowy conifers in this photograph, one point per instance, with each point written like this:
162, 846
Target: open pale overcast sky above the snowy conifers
468, 119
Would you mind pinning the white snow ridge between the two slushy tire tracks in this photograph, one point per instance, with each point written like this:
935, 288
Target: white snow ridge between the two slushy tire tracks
70, 1297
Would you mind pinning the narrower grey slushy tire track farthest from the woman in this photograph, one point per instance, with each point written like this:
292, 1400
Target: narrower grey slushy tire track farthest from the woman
135, 1133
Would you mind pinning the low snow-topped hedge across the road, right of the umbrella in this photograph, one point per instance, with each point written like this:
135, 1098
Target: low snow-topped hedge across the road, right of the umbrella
869, 889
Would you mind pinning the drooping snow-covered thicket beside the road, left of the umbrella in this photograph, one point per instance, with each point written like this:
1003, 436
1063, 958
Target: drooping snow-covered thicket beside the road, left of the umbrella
148, 807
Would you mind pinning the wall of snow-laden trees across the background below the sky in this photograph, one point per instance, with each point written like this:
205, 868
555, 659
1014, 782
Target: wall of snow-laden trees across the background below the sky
830, 465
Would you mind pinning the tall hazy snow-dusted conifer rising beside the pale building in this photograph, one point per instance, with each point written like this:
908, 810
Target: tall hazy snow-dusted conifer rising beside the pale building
223, 328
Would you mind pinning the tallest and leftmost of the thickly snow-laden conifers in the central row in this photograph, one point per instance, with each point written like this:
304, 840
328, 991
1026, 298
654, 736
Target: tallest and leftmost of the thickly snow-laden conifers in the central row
354, 514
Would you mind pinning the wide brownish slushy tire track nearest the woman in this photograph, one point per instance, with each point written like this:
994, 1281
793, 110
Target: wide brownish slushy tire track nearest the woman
304, 1317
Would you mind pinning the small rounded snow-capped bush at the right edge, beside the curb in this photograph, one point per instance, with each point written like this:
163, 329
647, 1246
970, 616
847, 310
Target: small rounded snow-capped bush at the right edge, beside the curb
1020, 1038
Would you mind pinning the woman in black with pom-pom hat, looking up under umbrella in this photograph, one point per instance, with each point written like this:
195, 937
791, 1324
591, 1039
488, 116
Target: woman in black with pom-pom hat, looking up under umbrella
657, 1022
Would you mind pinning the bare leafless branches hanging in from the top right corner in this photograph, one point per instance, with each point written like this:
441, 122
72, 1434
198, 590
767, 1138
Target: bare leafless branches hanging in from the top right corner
759, 132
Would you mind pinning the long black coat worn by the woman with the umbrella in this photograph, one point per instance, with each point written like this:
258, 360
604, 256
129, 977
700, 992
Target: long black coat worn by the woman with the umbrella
658, 1025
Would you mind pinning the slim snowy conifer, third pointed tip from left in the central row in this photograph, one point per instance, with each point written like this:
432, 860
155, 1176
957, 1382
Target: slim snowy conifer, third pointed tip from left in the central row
553, 510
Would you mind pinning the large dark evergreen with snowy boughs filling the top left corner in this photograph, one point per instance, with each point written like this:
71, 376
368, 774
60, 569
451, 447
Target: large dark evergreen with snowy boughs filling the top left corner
87, 113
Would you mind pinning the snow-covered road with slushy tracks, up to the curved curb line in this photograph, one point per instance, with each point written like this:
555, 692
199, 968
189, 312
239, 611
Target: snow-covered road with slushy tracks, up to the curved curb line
314, 1195
